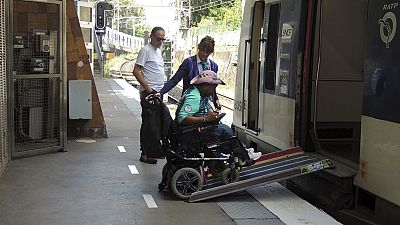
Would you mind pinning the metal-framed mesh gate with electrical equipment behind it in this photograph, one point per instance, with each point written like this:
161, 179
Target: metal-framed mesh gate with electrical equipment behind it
37, 84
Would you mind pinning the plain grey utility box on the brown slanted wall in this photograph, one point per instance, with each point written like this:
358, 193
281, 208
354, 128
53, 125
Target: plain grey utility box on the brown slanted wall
80, 99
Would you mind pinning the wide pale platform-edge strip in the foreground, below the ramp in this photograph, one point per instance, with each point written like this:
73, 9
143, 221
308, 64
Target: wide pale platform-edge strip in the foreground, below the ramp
288, 207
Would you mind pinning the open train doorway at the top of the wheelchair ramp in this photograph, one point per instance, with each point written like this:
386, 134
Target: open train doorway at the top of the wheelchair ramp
336, 81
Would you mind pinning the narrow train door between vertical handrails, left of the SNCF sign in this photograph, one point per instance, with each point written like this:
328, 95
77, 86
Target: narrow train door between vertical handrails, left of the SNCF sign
252, 69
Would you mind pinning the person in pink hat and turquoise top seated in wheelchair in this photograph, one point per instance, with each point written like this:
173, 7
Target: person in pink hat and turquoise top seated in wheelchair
195, 107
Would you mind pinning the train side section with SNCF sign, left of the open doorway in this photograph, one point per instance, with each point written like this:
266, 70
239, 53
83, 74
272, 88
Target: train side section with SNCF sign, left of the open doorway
268, 69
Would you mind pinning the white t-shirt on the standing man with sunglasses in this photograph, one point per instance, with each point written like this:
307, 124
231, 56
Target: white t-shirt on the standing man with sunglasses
153, 66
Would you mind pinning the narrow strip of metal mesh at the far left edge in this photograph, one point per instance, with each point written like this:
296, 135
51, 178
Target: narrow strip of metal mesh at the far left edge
3, 89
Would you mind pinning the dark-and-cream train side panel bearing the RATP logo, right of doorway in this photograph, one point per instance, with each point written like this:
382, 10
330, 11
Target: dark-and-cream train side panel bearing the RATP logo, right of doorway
379, 167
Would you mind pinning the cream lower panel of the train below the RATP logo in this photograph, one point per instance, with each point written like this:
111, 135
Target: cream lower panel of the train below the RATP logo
379, 171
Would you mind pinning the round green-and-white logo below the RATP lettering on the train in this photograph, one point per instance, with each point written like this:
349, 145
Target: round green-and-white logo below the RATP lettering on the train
388, 27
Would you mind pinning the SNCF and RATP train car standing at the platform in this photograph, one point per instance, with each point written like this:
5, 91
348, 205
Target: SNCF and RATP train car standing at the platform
322, 75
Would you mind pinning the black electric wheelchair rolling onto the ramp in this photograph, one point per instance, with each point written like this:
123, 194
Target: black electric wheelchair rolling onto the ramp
190, 161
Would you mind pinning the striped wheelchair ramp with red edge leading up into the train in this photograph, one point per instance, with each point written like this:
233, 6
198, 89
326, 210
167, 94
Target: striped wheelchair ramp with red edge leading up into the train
269, 168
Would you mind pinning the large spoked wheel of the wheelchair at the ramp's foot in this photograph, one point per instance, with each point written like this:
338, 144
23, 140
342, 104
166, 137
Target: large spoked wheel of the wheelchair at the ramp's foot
185, 181
